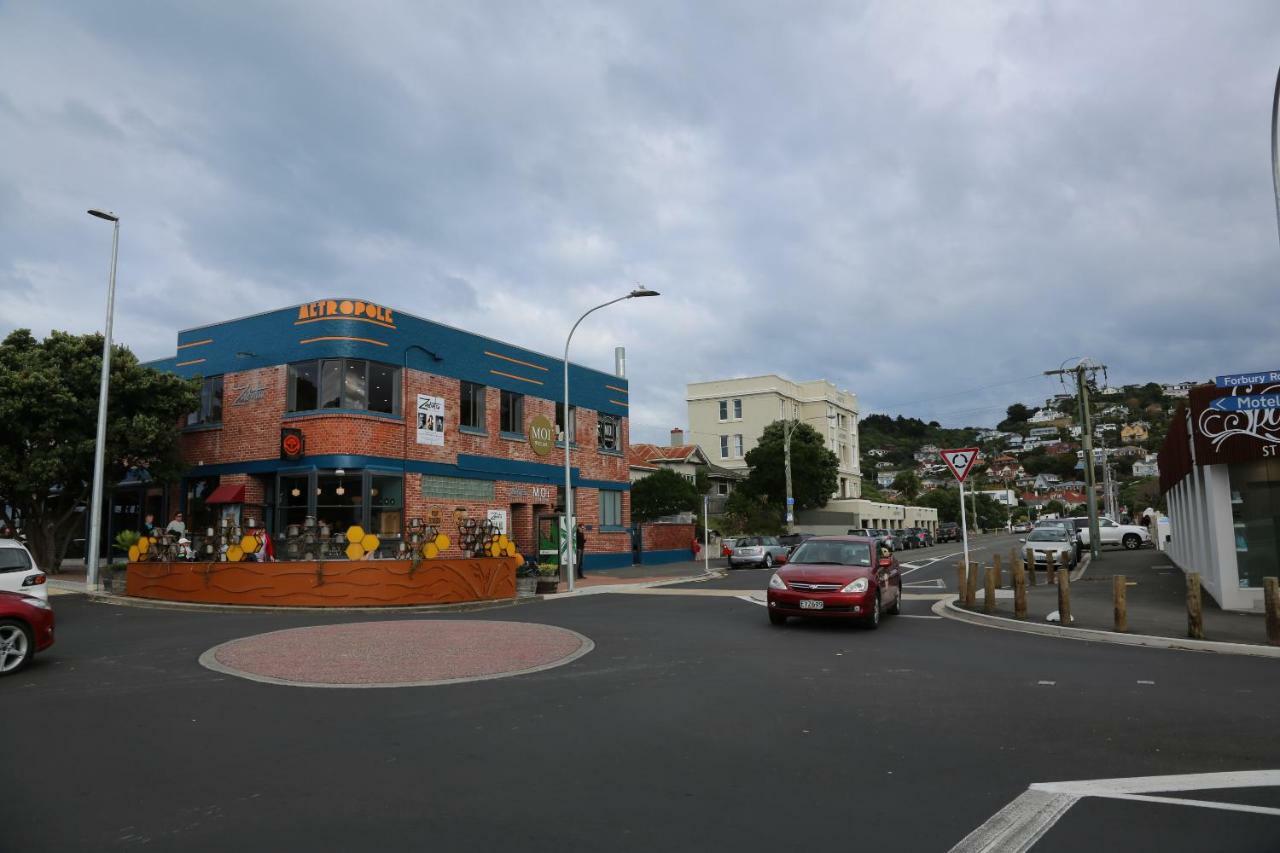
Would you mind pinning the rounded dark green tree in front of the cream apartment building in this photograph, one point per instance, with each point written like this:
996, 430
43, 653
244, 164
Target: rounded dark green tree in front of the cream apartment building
815, 469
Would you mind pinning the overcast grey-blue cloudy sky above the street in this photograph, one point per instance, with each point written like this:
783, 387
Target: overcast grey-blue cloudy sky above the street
929, 204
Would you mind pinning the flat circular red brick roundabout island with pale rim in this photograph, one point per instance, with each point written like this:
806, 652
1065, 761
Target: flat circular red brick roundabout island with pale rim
397, 654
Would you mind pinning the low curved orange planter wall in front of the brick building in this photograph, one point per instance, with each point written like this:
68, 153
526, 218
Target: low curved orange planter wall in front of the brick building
326, 585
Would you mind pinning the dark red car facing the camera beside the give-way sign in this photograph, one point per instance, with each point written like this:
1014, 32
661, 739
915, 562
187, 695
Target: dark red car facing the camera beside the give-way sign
838, 578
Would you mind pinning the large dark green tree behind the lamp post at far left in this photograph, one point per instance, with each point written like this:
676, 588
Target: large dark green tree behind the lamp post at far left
48, 430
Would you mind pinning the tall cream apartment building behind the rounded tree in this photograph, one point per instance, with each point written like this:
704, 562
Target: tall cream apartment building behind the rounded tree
728, 418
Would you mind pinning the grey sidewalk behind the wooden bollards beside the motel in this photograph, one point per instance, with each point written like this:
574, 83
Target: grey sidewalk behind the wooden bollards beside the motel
1156, 595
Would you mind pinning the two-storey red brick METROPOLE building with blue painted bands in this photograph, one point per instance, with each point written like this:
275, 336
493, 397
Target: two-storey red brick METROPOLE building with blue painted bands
400, 418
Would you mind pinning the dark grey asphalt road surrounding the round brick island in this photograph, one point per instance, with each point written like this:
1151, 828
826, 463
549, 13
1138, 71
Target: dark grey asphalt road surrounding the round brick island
693, 726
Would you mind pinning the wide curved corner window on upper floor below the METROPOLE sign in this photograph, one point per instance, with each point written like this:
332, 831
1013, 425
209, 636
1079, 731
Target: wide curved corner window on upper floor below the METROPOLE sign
345, 384
